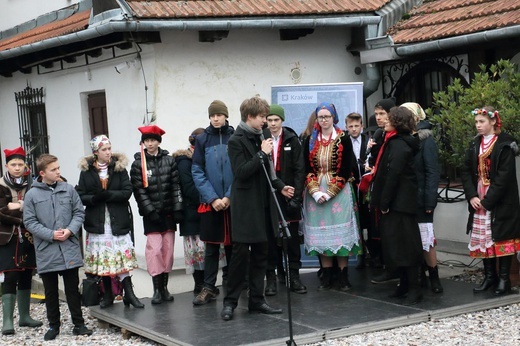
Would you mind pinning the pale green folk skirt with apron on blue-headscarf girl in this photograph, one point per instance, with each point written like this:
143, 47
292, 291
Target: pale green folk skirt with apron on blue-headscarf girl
332, 228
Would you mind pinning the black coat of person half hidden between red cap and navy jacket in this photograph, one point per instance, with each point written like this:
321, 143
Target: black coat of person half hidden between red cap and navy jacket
190, 223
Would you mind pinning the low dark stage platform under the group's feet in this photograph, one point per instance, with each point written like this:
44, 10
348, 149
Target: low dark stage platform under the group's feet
316, 316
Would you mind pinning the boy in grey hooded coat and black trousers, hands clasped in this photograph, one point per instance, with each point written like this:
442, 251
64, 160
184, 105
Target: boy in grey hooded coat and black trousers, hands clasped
54, 214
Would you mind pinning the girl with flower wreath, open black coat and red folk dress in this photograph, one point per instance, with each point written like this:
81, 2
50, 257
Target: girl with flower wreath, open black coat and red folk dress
491, 188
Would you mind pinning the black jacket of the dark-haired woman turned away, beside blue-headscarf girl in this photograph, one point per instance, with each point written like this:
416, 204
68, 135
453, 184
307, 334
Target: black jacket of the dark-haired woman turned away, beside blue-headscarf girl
394, 186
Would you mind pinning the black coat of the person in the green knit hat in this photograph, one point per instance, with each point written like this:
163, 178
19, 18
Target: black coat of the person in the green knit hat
292, 173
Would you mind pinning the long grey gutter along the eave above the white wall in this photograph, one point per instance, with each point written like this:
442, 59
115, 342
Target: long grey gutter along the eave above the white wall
103, 29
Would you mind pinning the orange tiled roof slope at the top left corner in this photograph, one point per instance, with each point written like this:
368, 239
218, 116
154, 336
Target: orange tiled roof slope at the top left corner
74, 23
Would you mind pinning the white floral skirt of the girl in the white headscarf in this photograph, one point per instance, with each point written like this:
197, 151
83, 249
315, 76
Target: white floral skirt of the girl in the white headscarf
109, 255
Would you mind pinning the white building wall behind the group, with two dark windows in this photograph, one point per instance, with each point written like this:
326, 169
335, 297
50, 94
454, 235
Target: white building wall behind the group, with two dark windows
183, 77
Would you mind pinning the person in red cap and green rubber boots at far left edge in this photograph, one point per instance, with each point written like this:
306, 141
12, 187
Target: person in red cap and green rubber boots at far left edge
17, 259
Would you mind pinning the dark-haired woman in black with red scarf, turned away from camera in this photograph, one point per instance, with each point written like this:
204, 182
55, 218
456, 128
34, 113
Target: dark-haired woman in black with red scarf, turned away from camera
394, 199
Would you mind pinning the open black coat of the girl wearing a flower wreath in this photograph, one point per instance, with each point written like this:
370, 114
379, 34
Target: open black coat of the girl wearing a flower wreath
502, 196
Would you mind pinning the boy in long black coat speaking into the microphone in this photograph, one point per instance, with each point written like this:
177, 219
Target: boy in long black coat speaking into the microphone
254, 212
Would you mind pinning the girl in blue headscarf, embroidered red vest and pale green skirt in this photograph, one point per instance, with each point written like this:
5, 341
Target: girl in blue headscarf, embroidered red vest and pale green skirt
331, 227
